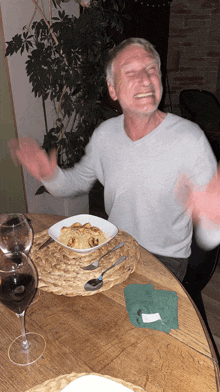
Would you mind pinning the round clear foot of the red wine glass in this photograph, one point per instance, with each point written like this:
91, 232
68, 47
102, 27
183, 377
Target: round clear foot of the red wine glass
19, 356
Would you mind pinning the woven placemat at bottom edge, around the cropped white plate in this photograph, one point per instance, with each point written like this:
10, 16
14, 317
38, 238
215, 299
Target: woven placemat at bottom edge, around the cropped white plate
57, 384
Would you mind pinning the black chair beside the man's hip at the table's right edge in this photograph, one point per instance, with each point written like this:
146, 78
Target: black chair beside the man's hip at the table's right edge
201, 267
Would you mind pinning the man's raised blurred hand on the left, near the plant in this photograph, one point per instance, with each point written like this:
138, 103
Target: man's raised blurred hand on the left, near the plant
27, 152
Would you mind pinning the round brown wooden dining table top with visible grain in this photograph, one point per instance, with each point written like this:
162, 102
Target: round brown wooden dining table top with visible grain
93, 334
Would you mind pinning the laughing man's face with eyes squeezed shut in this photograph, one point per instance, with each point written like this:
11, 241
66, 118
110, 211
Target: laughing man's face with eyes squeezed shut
137, 81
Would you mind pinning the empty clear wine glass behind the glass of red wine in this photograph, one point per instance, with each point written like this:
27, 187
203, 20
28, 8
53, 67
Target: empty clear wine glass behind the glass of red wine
16, 234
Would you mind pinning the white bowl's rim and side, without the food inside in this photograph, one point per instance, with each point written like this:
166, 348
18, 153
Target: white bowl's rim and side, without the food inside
107, 227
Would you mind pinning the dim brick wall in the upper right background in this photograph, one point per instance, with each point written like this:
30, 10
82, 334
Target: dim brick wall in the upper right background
193, 49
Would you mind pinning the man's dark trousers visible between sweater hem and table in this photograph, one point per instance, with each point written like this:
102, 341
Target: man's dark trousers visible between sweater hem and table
176, 265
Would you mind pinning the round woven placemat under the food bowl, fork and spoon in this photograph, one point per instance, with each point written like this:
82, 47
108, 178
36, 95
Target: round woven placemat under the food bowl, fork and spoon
60, 269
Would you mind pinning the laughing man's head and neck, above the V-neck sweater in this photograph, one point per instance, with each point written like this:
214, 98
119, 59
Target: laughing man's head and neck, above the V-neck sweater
135, 81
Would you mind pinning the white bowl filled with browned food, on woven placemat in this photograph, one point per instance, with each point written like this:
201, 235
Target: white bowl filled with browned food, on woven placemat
83, 233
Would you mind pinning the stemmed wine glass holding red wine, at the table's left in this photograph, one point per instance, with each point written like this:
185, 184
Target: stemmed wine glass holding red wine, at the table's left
18, 284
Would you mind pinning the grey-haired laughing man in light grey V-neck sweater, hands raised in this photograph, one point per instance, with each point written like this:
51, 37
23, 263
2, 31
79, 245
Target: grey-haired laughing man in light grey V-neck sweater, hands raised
147, 160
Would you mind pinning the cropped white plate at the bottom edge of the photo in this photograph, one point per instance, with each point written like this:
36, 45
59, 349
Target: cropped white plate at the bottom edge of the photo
92, 383
